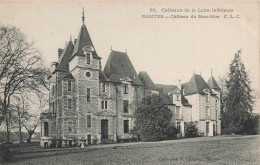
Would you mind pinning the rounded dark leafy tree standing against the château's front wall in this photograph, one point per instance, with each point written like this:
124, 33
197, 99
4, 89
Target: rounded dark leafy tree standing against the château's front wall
152, 117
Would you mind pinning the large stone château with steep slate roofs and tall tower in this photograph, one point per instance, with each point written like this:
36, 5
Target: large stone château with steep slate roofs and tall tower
90, 105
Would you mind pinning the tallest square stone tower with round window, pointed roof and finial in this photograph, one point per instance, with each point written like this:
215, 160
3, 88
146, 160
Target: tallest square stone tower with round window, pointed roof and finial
85, 66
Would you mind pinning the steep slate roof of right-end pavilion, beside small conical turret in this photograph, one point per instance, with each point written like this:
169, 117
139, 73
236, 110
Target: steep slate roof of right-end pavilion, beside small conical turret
196, 85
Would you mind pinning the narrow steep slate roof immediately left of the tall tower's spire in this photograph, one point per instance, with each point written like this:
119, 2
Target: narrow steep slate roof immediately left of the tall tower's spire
65, 57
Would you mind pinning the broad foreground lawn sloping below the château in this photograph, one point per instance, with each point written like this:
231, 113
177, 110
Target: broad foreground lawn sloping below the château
215, 150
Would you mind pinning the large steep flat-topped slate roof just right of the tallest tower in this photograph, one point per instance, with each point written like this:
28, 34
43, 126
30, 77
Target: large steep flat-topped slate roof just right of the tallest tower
119, 66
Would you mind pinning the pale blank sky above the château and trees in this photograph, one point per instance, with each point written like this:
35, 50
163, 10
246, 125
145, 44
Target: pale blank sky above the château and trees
168, 49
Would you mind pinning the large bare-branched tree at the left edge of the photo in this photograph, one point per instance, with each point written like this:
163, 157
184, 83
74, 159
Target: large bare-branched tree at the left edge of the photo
21, 69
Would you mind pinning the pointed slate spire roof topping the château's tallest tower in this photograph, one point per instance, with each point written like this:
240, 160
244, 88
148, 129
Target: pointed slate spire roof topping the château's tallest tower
82, 41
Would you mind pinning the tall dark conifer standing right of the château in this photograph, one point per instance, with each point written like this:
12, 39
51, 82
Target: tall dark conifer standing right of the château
239, 100
